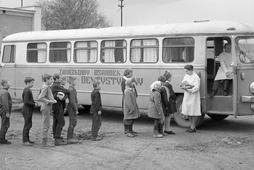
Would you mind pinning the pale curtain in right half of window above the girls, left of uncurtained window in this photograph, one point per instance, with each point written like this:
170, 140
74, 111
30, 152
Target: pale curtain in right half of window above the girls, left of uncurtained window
150, 54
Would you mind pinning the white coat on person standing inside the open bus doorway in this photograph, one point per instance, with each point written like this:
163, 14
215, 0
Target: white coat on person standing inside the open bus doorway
225, 62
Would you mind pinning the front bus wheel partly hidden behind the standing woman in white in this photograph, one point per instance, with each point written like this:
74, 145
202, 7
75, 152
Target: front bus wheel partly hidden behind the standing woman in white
182, 120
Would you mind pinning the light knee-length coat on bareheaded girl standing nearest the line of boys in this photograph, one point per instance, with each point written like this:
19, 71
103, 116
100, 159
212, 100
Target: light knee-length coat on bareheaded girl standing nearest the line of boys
131, 110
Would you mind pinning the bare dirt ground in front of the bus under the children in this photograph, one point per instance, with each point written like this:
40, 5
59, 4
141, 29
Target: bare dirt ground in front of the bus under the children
223, 145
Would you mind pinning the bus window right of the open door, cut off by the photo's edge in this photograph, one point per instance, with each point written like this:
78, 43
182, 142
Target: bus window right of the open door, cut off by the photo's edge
245, 49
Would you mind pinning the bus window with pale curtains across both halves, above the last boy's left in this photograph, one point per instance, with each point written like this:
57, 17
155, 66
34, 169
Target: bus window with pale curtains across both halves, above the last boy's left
85, 52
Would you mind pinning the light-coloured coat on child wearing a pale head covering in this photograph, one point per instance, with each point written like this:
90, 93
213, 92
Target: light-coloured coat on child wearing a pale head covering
155, 106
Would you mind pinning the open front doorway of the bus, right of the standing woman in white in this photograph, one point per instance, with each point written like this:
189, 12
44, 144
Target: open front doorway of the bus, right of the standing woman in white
219, 103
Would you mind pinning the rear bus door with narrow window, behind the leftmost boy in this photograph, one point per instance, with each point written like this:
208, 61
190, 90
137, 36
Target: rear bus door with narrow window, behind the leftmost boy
8, 67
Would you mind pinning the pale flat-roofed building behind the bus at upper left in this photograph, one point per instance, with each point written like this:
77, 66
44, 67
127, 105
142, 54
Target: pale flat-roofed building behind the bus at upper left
13, 20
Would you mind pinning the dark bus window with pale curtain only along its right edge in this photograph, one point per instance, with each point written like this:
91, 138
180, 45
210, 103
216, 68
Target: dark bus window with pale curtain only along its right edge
60, 52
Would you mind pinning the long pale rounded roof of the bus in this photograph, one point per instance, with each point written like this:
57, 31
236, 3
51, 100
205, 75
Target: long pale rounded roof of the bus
198, 27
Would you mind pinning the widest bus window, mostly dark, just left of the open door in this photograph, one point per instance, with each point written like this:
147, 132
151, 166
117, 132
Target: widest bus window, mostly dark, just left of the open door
178, 50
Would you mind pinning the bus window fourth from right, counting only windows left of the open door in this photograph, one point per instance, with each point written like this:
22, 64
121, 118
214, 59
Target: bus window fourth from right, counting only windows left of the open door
113, 51
